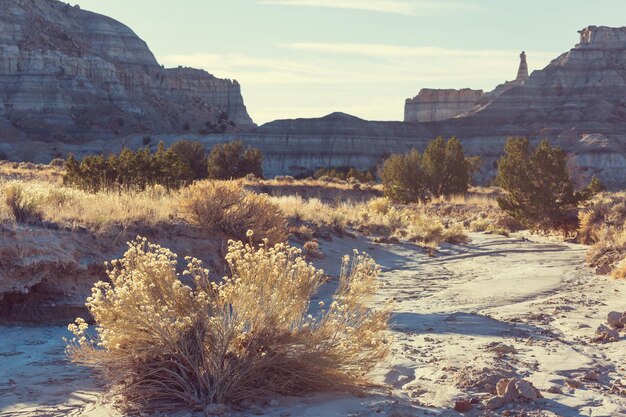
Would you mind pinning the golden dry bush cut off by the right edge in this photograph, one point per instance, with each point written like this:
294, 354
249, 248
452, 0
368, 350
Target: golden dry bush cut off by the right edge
603, 224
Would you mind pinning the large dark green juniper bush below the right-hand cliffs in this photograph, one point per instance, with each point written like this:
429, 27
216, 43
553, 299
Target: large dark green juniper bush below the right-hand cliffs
540, 192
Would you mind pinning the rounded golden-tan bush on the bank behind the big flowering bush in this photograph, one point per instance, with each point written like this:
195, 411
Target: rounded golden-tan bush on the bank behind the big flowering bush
228, 207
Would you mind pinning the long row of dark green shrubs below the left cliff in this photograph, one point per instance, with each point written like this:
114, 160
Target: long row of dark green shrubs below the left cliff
128, 170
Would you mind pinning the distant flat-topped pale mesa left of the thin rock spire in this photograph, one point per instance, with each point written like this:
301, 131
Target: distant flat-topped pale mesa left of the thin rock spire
432, 105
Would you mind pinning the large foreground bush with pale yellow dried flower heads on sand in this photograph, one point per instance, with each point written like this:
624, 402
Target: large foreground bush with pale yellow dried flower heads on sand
162, 345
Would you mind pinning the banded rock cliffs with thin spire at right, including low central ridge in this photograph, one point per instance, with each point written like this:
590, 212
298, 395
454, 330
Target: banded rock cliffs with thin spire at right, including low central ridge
577, 101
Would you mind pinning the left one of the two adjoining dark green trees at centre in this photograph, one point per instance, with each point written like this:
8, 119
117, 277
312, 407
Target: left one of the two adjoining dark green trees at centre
403, 177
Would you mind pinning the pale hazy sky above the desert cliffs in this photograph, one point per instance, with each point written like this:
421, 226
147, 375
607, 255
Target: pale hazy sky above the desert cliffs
308, 58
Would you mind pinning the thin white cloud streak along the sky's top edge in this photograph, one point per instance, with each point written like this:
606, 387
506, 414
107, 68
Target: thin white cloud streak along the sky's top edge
402, 7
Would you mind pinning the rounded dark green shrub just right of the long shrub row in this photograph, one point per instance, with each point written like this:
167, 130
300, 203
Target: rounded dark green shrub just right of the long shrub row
230, 160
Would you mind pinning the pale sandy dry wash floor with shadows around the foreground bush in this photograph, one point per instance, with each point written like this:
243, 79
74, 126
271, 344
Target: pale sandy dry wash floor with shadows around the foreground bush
497, 307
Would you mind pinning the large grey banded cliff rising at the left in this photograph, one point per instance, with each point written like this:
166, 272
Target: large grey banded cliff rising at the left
68, 74
